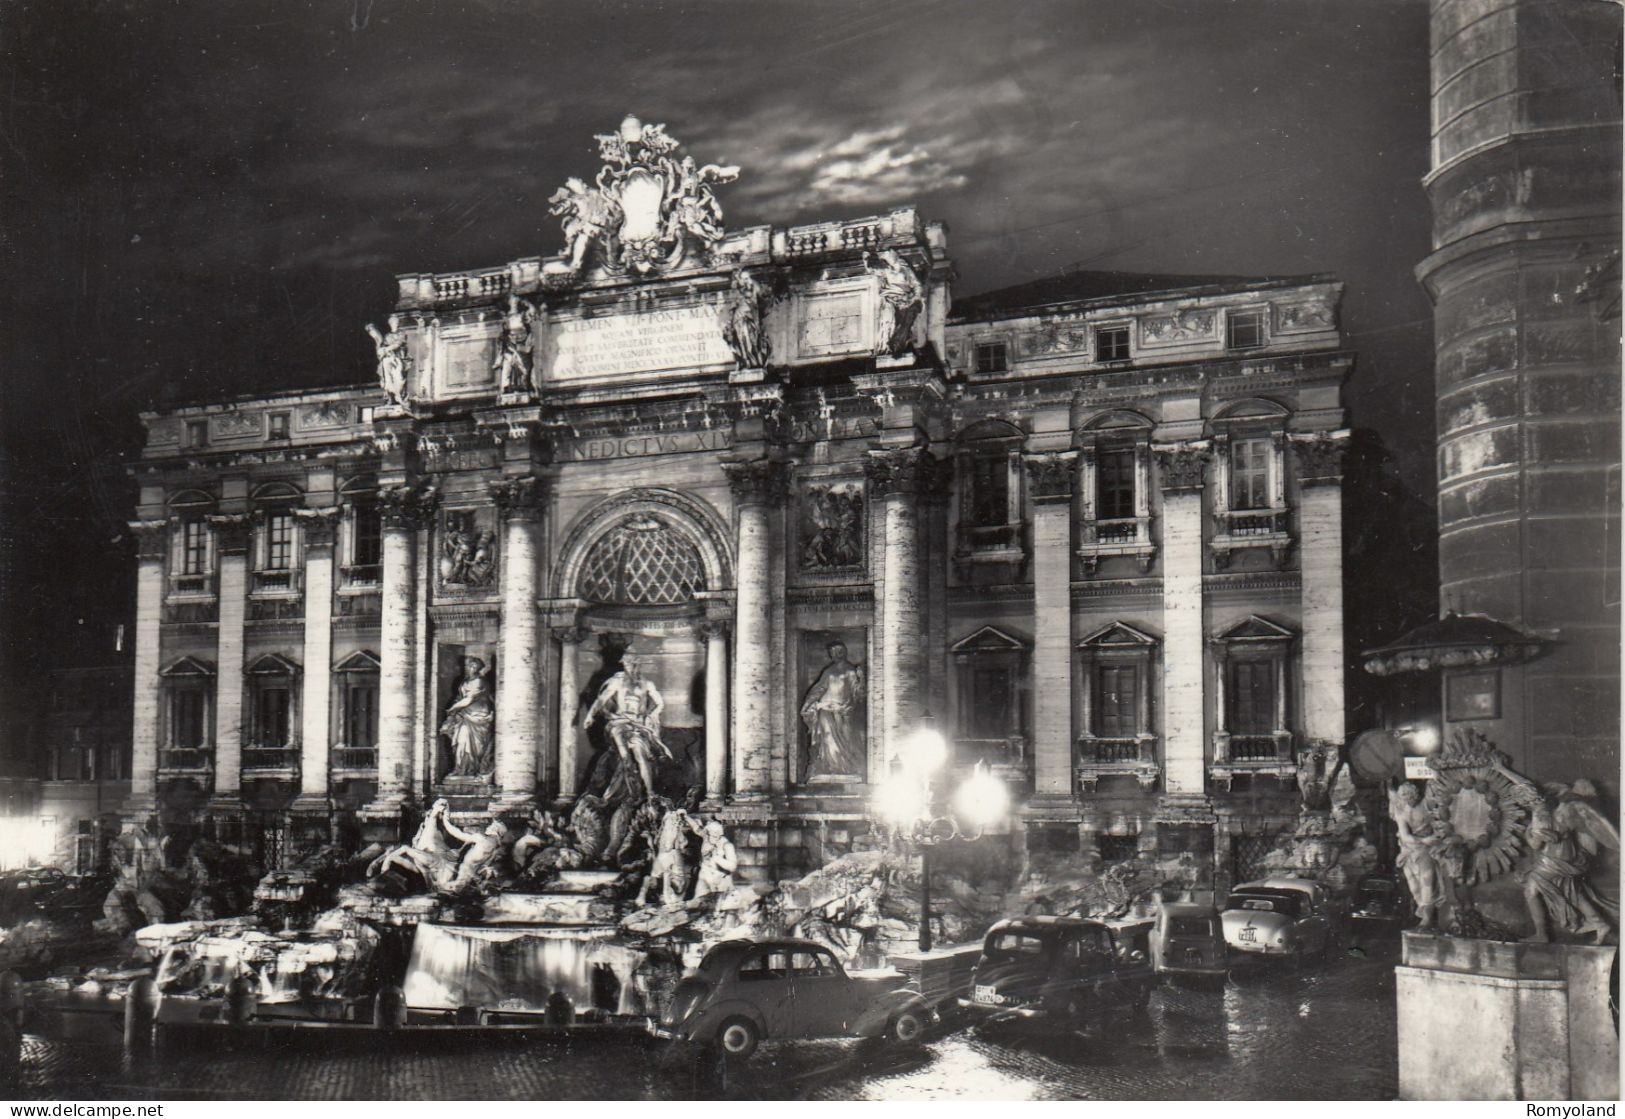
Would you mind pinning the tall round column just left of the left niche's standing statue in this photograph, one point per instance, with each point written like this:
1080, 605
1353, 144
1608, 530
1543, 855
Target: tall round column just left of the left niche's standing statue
404, 511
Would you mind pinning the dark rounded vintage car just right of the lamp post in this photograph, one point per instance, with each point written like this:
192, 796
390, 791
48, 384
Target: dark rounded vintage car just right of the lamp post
1070, 967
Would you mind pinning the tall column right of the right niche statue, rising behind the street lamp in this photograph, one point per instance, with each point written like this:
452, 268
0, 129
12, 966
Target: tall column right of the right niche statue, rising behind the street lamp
898, 477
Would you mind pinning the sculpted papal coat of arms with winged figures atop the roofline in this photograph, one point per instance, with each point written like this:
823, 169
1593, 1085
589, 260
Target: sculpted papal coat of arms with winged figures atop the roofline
649, 209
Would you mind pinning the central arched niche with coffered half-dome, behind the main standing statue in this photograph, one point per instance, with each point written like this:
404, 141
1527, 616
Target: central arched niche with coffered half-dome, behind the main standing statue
641, 566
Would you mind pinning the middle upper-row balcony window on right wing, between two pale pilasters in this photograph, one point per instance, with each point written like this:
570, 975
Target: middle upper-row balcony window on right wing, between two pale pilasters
1116, 454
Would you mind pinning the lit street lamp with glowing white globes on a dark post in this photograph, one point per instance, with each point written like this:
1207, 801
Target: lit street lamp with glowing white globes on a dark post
908, 801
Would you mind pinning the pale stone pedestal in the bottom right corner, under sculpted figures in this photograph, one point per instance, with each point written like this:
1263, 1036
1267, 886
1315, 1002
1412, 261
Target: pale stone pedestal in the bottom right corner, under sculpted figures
1491, 1021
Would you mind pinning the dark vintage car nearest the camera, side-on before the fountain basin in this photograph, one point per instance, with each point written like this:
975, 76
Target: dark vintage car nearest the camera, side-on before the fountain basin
748, 992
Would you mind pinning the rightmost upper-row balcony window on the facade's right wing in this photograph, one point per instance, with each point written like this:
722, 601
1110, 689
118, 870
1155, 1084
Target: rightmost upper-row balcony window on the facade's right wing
1250, 506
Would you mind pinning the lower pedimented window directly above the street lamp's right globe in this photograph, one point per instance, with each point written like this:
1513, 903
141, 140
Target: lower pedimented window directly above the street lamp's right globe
990, 699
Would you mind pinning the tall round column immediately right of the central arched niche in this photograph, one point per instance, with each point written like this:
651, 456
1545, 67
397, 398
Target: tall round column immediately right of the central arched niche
760, 488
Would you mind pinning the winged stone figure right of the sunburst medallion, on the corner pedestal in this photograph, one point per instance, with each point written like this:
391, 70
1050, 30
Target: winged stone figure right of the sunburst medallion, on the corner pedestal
1564, 837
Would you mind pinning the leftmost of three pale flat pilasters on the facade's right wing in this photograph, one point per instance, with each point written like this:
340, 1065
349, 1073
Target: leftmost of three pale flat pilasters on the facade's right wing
1051, 488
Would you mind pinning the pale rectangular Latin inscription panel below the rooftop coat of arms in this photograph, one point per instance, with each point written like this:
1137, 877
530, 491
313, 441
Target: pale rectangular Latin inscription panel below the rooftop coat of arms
615, 345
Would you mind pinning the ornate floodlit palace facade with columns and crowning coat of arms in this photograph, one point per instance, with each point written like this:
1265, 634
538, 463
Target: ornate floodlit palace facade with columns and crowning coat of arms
1091, 527
